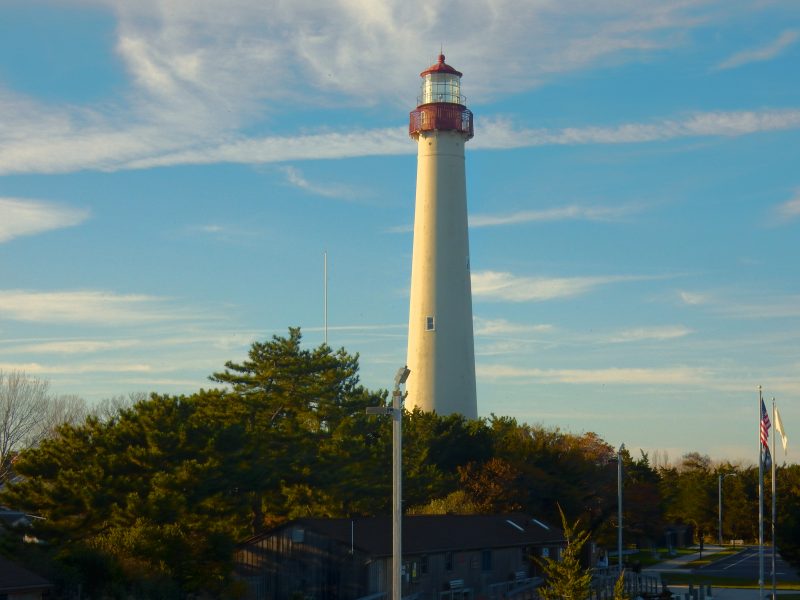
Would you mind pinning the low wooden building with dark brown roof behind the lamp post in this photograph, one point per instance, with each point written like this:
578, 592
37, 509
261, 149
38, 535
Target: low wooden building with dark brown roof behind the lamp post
444, 557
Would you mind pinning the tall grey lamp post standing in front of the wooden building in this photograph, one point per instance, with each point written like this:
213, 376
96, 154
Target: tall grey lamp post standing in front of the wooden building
396, 412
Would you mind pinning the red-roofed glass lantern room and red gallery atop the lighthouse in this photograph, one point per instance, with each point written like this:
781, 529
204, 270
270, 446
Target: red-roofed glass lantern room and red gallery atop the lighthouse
440, 106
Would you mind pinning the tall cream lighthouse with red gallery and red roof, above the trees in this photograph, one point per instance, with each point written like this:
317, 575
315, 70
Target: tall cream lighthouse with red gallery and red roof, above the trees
441, 353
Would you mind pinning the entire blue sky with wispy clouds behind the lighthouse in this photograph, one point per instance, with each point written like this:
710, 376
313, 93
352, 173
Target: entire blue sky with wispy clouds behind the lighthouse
172, 172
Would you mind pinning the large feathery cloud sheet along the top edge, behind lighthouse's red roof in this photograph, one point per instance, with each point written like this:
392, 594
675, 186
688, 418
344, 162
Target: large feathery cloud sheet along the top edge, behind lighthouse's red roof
201, 51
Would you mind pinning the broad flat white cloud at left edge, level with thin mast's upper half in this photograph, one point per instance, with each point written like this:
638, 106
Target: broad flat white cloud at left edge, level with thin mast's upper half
85, 306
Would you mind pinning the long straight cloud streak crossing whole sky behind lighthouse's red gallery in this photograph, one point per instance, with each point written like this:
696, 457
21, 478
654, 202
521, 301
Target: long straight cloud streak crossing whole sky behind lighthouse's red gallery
73, 141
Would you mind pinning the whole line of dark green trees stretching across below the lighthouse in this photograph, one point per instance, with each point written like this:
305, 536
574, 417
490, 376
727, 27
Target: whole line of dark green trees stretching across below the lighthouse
151, 500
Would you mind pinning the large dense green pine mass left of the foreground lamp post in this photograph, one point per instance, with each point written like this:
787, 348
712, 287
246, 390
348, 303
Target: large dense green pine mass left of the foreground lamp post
159, 494
